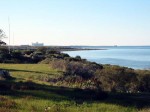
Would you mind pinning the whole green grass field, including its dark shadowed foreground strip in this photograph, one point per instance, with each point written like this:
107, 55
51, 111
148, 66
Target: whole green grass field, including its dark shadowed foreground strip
36, 95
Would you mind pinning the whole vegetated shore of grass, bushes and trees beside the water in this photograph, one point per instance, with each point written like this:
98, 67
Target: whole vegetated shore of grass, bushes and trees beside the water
56, 82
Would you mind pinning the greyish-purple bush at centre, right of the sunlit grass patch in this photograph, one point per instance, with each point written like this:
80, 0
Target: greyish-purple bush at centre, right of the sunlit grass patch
85, 70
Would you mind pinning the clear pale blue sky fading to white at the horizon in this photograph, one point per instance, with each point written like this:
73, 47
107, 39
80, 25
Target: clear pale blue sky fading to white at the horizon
76, 22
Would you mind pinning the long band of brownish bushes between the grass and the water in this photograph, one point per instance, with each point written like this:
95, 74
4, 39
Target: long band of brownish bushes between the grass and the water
105, 77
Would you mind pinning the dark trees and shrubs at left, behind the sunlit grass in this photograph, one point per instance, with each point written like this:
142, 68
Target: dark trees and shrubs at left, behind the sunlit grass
20, 56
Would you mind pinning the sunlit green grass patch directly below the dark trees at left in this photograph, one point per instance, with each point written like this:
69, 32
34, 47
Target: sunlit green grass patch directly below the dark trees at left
29, 71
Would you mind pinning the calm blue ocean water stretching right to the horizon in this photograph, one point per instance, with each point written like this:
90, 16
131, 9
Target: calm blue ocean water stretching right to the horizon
137, 57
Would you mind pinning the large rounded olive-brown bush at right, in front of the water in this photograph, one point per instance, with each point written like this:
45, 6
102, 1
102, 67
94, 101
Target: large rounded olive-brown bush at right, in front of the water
118, 79
